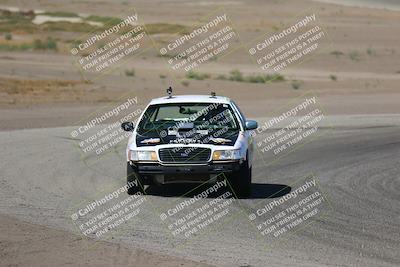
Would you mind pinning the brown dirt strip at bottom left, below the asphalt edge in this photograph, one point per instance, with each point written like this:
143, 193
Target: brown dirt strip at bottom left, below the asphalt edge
25, 244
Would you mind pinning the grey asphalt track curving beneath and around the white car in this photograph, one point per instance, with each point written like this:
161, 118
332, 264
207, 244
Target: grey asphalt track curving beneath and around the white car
355, 159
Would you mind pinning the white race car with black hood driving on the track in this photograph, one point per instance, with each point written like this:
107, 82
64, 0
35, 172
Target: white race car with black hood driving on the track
190, 139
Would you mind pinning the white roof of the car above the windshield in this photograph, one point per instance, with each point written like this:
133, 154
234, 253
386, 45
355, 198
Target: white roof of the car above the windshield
190, 99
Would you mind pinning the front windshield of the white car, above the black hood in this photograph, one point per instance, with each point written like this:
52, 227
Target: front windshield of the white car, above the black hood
189, 115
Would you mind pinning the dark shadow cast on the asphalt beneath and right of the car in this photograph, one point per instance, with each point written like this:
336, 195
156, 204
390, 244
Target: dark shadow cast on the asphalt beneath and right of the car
258, 191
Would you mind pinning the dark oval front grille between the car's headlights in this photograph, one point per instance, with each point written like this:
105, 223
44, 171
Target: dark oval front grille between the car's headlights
184, 154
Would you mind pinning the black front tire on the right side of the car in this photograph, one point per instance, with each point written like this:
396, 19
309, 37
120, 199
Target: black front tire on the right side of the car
241, 181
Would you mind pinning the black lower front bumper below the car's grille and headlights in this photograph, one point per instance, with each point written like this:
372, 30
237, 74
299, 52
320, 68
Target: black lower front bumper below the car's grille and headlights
184, 173
